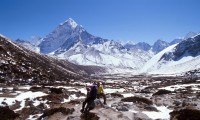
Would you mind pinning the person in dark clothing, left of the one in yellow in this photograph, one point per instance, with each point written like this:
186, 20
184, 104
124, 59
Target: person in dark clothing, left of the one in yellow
89, 100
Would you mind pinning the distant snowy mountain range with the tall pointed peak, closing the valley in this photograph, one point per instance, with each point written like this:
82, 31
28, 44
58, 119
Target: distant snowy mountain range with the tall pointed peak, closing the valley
70, 41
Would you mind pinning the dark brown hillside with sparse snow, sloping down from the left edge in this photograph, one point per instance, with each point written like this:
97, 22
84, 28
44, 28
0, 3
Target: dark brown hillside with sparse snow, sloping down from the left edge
24, 66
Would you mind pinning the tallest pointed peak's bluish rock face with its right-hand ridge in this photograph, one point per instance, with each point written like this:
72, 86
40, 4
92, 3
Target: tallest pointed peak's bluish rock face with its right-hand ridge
66, 35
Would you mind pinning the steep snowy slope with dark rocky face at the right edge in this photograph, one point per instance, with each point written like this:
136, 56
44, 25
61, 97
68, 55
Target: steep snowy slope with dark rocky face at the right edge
176, 59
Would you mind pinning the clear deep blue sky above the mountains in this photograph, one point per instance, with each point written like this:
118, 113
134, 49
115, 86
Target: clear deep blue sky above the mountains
122, 20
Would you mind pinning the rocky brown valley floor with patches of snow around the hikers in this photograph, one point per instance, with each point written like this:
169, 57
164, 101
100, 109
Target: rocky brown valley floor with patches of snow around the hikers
128, 98
